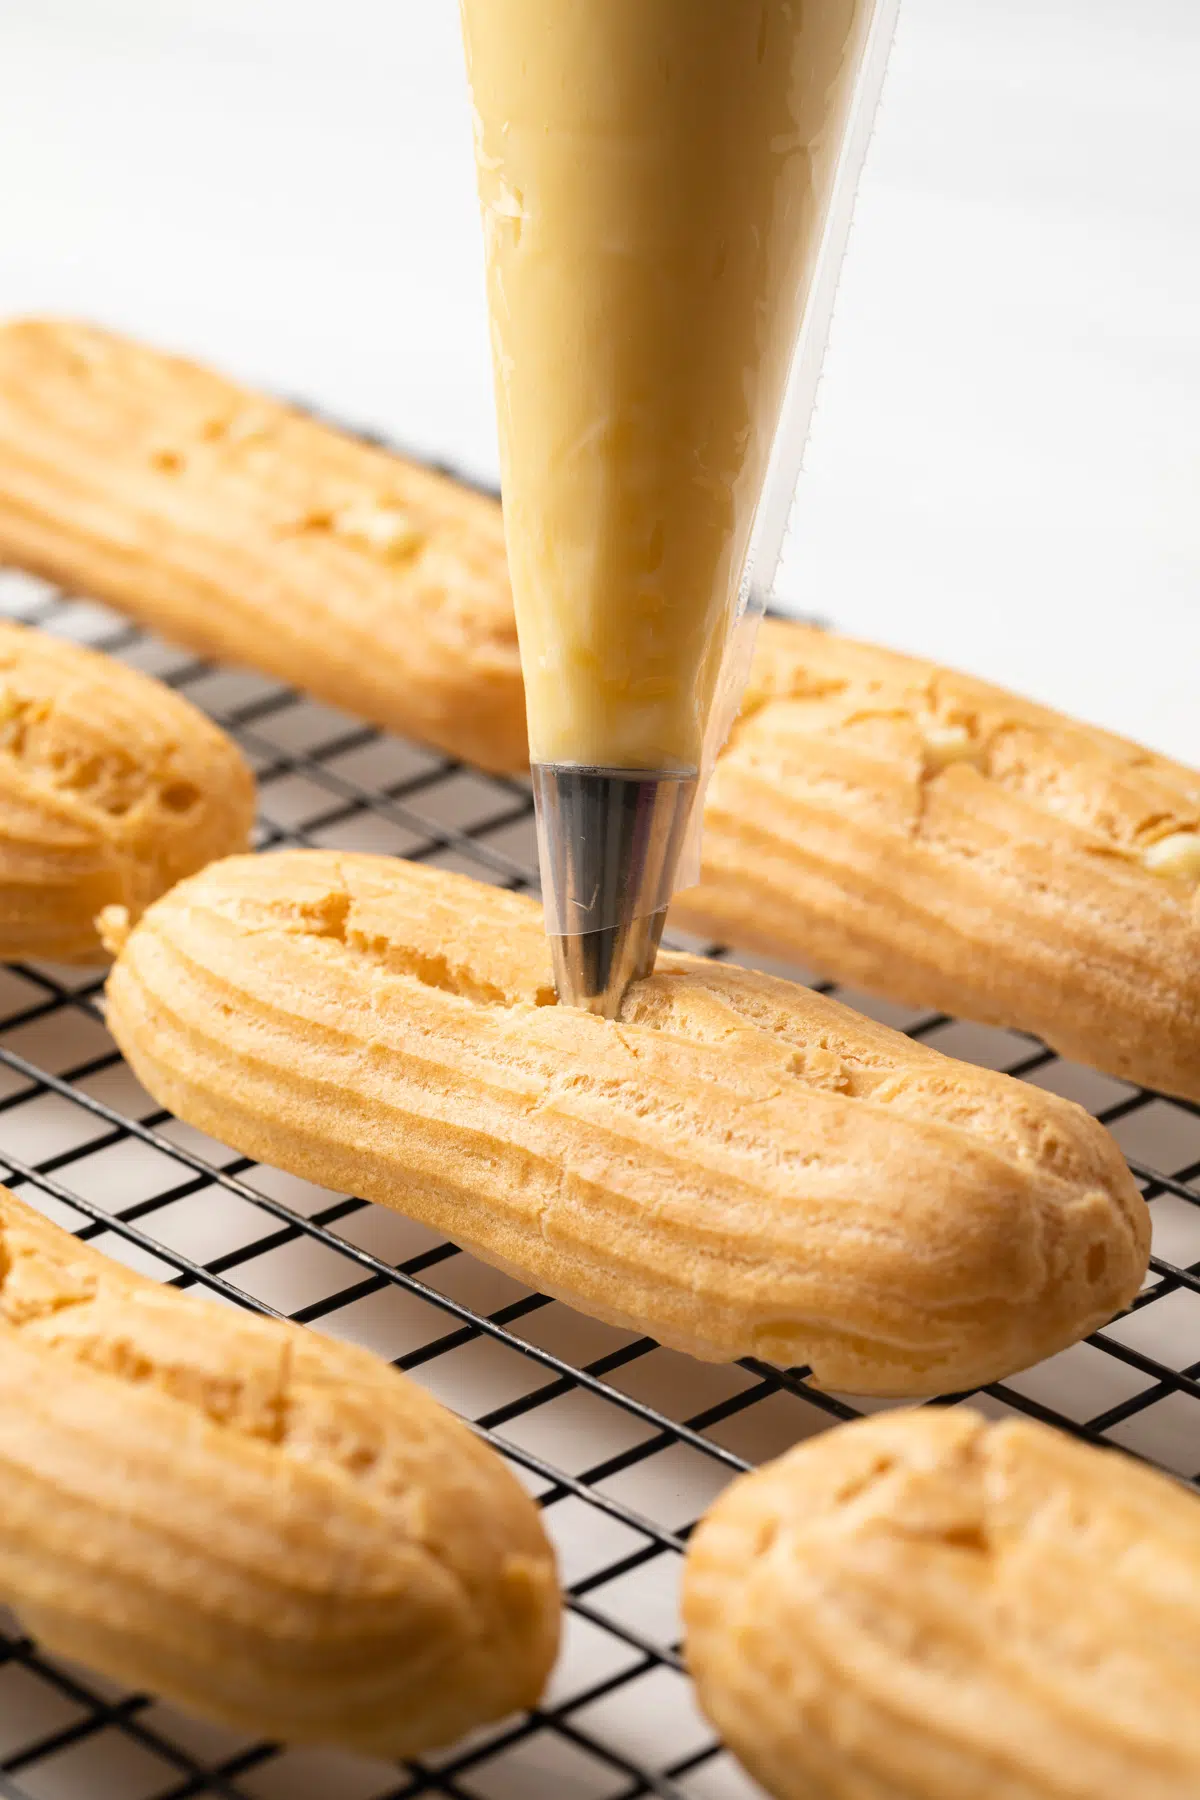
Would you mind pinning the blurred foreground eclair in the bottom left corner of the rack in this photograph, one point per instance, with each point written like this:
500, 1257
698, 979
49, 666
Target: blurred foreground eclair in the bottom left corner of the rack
267, 1527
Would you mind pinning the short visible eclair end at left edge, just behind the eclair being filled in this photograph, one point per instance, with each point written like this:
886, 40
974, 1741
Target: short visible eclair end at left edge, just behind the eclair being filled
112, 787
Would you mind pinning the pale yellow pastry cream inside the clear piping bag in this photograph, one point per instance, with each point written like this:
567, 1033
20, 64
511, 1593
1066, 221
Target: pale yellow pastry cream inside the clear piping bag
654, 179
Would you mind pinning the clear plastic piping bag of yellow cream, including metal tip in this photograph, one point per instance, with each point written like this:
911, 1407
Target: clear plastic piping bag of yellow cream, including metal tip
667, 190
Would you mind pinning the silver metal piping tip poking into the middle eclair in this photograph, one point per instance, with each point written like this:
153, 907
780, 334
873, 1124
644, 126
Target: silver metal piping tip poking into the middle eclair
611, 843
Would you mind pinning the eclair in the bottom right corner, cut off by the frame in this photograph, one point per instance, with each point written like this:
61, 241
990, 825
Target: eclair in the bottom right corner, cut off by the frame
927, 1606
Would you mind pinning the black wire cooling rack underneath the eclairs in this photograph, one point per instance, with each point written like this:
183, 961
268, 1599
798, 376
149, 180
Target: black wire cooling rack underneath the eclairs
623, 1443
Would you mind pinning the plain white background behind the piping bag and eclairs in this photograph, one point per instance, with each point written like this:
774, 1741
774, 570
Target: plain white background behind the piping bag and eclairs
1005, 465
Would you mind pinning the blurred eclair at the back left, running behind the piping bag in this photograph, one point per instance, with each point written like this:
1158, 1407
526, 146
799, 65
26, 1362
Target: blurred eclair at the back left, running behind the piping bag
249, 532
